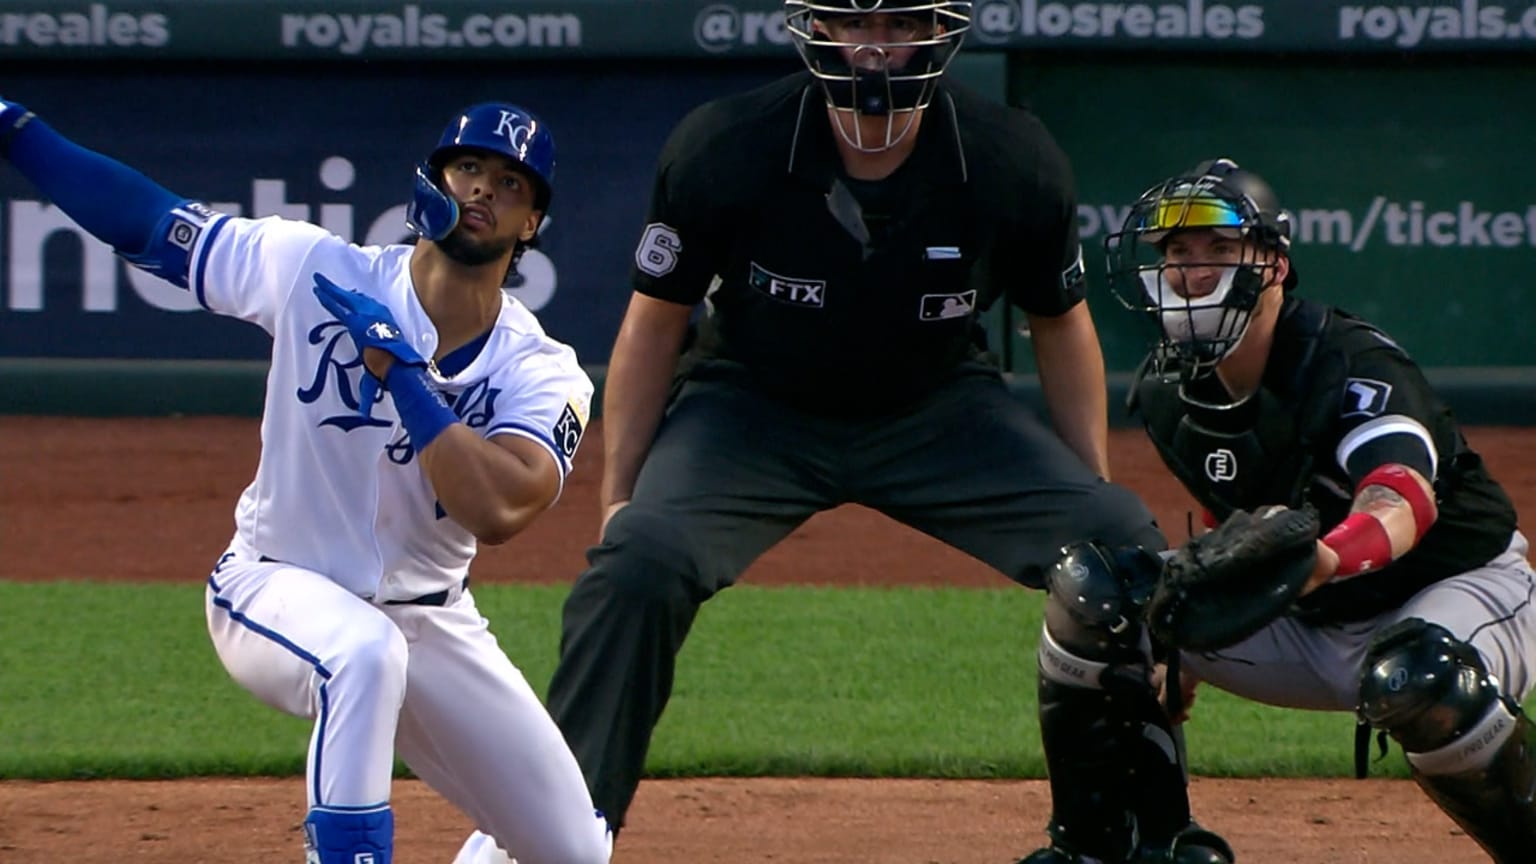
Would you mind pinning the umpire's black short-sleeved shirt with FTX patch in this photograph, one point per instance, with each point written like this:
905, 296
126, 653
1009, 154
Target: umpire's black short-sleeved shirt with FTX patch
855, 297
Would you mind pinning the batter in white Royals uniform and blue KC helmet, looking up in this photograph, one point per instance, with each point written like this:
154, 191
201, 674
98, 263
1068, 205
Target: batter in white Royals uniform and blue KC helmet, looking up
412, 411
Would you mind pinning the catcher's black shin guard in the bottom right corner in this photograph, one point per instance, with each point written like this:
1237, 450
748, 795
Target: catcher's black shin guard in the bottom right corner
1472, 749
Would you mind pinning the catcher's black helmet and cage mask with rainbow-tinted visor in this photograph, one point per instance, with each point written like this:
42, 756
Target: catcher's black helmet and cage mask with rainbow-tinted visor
1199, 330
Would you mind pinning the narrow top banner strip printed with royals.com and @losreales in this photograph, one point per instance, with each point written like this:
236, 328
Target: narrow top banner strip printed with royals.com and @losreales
428, 30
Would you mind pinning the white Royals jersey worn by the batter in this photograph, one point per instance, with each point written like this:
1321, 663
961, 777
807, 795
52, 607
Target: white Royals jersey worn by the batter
337, 493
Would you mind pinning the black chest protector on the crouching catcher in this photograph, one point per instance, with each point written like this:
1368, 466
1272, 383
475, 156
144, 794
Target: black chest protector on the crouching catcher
1263, 450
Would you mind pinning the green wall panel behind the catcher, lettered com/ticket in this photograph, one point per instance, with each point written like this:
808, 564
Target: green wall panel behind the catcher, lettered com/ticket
1409, 185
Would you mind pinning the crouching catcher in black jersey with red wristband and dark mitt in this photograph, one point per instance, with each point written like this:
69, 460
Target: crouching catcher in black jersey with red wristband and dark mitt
1363, 557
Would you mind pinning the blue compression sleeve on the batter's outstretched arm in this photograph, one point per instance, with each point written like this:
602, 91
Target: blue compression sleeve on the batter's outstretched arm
111, 201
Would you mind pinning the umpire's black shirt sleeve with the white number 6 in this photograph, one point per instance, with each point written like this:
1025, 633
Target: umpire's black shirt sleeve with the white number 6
681, 245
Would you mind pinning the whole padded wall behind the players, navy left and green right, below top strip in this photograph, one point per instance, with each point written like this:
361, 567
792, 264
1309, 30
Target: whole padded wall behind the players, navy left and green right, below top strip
1448, 267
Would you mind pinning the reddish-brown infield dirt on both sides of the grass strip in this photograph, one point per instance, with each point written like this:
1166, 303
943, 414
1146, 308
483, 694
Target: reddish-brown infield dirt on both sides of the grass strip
159, 494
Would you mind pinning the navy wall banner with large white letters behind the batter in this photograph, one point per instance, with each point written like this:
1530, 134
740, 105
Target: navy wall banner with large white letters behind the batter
339, 151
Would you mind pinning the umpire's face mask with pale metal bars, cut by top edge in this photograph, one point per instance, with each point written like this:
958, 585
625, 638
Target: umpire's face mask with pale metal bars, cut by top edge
893, 73
